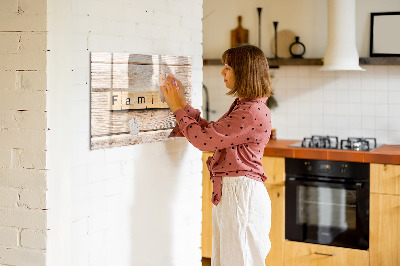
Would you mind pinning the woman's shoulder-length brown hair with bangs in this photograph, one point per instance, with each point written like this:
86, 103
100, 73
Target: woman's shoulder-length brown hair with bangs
250, 66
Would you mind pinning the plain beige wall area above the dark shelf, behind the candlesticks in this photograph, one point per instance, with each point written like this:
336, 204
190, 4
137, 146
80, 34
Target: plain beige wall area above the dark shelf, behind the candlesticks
306, 19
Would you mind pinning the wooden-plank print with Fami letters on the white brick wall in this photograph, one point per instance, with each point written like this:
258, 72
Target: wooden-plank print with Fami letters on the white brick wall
127, 105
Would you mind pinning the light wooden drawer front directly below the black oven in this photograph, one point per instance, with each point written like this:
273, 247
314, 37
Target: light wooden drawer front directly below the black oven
304, 254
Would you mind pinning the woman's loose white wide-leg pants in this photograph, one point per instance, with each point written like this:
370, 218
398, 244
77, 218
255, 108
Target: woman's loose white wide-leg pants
241, 223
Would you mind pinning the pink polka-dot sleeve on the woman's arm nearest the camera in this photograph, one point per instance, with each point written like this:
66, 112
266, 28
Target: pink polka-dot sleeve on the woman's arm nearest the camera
231, 130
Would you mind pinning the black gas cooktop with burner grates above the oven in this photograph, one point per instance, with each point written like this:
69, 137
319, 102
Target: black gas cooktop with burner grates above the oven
332, 142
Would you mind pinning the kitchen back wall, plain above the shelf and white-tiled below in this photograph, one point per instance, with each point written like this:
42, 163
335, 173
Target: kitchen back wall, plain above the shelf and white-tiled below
311, 102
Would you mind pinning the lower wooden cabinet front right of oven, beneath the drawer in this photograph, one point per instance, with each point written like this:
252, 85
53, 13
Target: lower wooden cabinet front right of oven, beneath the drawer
384, 237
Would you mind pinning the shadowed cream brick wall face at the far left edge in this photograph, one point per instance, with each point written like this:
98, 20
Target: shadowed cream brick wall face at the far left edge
22, 132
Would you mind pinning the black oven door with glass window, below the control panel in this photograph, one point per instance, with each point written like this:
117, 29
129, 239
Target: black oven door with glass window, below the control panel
327, 213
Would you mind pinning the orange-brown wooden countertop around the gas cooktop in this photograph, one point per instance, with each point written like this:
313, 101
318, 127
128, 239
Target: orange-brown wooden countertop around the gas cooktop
388, 154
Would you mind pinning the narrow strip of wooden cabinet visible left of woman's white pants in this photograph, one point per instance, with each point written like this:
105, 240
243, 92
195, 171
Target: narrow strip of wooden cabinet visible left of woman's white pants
206, 226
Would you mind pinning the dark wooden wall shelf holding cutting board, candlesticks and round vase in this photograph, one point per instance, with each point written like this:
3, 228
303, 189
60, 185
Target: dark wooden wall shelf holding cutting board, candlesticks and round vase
274, 63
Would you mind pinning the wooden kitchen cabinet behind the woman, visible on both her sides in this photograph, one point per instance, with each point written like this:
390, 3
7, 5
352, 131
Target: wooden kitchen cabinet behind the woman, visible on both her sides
274, 168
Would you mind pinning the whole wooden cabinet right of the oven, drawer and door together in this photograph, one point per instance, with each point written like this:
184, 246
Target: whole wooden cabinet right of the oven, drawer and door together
385, 215
